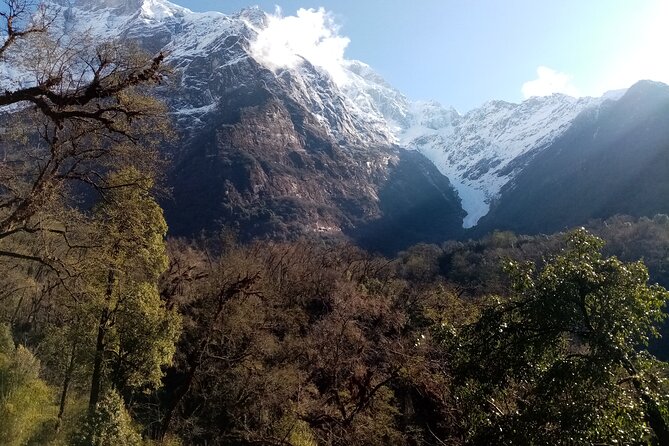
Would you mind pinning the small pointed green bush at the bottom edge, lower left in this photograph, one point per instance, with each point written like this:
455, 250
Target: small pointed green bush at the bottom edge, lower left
110, 425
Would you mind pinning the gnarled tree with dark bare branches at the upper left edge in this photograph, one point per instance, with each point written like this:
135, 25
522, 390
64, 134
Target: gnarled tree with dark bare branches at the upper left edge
78, 108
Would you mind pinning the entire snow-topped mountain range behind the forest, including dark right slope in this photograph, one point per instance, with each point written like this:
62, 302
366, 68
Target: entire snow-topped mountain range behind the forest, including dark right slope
281, 149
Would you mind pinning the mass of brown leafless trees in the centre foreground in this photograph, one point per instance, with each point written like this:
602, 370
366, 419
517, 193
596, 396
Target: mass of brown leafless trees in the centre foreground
298, 343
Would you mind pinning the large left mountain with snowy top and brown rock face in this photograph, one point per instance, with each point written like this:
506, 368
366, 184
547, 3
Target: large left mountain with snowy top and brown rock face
271, 152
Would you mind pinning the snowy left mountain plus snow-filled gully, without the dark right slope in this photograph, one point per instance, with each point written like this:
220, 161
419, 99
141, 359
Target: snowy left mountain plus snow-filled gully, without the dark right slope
271, 141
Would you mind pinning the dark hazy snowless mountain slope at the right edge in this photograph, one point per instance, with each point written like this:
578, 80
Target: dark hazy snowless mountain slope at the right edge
612, 160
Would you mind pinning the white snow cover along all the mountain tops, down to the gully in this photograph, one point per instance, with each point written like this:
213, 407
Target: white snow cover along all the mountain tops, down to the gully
479, 151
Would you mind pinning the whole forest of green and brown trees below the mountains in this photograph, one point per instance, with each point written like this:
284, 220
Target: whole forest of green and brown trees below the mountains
113, 333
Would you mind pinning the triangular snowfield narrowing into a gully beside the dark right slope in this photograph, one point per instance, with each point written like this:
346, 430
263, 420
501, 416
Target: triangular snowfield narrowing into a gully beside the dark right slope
483, 150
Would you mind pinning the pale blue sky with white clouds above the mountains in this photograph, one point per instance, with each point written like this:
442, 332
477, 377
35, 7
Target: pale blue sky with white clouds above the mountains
465, 52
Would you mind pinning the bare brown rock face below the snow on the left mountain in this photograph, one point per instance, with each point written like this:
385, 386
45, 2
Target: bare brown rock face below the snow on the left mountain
272, 173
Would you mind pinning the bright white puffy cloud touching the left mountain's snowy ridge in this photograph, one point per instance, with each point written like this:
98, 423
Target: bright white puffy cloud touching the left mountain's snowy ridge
311, 34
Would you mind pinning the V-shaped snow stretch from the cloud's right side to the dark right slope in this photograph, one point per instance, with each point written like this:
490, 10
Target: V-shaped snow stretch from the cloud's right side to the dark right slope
479, 152
